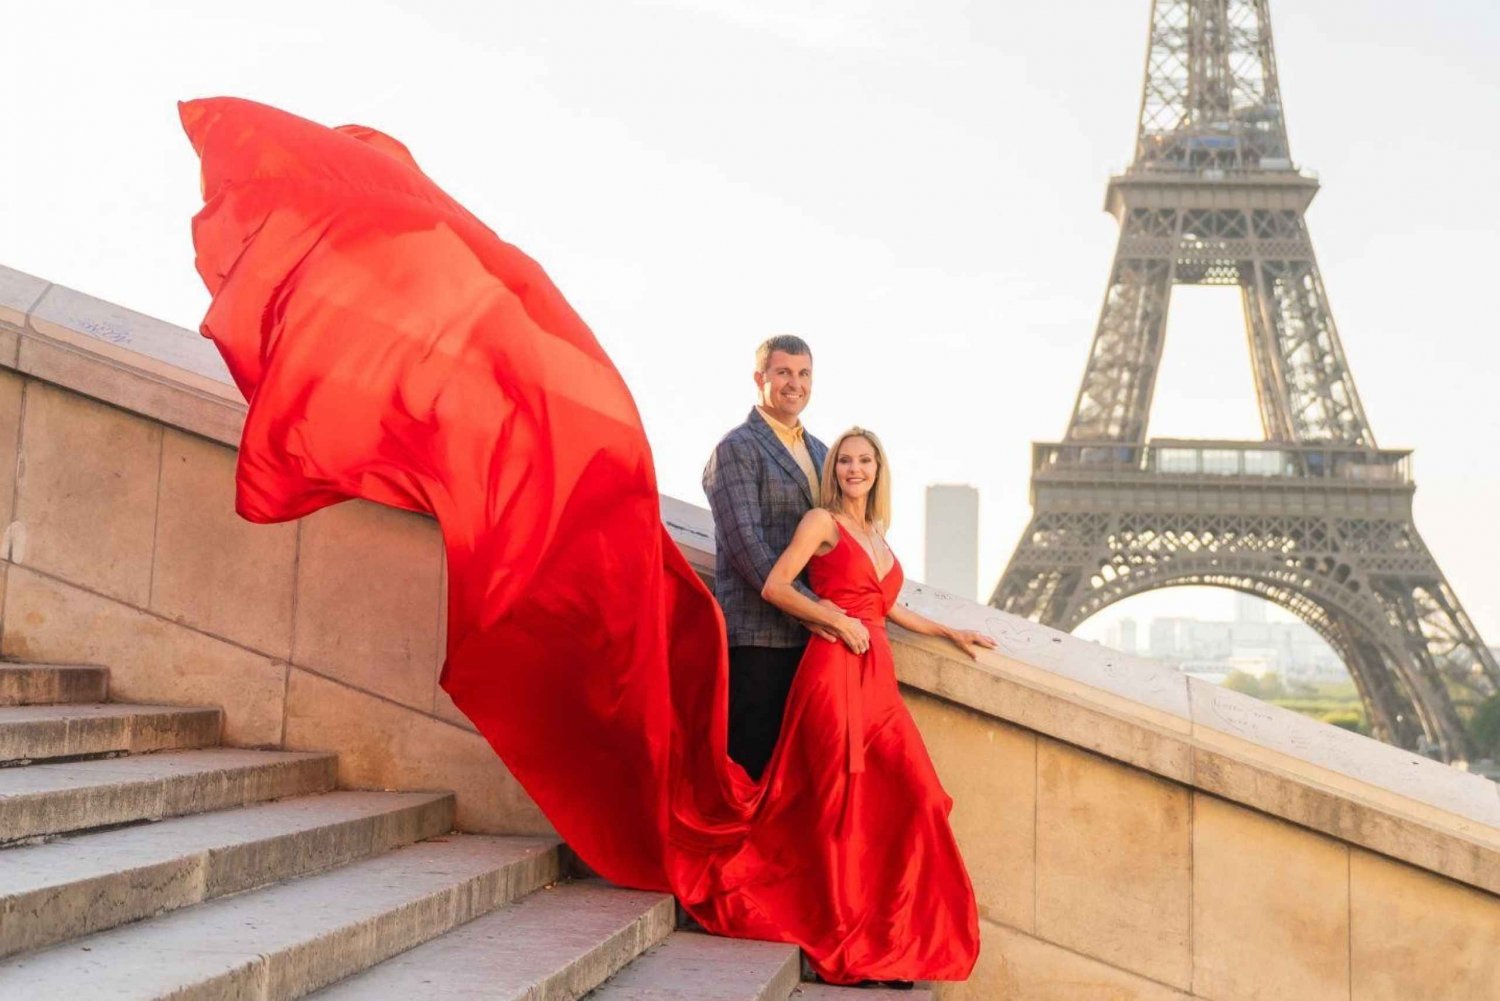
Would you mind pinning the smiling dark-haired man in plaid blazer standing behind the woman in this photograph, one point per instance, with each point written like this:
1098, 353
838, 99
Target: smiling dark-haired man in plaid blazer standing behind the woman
761, 479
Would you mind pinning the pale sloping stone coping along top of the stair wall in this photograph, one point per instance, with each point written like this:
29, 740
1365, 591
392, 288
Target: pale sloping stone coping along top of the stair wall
1123, 708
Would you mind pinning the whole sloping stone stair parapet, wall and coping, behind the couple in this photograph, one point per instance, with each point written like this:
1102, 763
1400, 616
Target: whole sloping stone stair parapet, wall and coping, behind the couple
1132, 834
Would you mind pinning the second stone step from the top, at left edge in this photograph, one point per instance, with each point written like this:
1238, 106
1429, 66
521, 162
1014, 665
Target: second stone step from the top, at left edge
35, 733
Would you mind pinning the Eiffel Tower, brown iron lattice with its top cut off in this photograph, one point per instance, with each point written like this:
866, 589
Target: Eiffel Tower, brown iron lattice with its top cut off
1315, 519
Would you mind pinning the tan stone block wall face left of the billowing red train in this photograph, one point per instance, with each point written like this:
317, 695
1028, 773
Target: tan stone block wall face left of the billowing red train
124, 550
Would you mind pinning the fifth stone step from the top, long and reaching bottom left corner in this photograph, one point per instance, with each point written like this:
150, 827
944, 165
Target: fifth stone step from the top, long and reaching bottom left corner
292, 939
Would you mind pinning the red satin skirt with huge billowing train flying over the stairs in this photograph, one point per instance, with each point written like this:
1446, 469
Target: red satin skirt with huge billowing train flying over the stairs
394, 349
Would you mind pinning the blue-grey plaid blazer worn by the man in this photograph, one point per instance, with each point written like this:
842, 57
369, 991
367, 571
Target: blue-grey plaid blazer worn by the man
758, 496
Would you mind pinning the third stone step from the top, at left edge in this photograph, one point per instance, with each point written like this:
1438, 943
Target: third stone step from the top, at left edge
76, 796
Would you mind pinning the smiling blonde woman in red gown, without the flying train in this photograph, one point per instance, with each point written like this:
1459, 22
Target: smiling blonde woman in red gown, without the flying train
851, 849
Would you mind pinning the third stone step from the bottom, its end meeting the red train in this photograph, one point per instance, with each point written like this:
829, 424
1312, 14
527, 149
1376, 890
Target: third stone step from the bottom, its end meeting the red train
559, 943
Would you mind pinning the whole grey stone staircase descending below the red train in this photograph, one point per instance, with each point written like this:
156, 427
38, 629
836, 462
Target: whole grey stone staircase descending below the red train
139, 859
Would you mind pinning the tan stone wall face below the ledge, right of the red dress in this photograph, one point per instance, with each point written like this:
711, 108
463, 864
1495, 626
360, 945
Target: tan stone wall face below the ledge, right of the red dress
1103, 882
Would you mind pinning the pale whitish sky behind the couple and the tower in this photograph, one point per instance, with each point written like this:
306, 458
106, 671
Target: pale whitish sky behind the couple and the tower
914, 187
